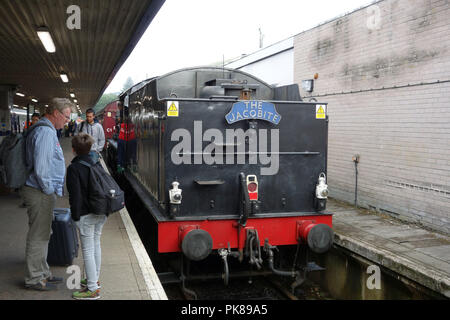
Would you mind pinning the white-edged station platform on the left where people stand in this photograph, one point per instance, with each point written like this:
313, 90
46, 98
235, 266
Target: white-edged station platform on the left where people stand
126, 274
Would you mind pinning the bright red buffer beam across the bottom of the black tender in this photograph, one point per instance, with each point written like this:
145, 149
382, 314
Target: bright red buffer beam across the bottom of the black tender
279, 231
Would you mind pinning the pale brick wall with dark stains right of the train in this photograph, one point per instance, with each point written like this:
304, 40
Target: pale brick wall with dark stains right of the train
384, 71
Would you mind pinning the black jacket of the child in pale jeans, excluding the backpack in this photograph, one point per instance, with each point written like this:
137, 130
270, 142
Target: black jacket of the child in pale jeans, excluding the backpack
77, 182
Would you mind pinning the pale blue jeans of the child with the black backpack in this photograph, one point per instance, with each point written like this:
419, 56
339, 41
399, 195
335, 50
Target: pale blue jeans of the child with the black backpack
90, 227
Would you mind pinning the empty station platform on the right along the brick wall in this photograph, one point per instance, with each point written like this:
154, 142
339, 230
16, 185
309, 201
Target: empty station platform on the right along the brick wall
409, 250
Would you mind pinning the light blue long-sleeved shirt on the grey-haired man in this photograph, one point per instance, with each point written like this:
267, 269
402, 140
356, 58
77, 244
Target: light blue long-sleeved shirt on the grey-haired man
45, 155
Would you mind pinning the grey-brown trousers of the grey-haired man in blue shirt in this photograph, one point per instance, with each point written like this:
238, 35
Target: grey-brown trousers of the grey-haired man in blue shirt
40, 215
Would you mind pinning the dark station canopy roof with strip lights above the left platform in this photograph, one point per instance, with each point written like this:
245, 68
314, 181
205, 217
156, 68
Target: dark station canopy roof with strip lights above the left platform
90, 56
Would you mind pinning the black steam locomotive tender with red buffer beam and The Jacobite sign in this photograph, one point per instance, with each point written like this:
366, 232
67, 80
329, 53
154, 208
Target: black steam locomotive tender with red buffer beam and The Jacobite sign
227, 164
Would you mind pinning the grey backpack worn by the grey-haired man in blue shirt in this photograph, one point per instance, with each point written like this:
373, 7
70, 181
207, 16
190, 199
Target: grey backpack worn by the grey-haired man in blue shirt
13, 167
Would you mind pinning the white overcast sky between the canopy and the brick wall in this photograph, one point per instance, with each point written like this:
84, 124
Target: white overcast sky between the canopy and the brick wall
200, 32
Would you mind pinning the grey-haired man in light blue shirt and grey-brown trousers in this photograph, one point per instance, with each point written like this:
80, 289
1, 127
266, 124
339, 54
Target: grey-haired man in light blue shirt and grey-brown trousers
45, 156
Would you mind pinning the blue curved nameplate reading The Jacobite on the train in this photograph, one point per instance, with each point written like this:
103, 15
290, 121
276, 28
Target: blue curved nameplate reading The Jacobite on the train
253, 110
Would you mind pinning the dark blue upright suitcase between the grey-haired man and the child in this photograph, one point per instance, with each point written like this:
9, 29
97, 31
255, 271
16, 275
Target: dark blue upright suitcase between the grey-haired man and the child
63, 244
